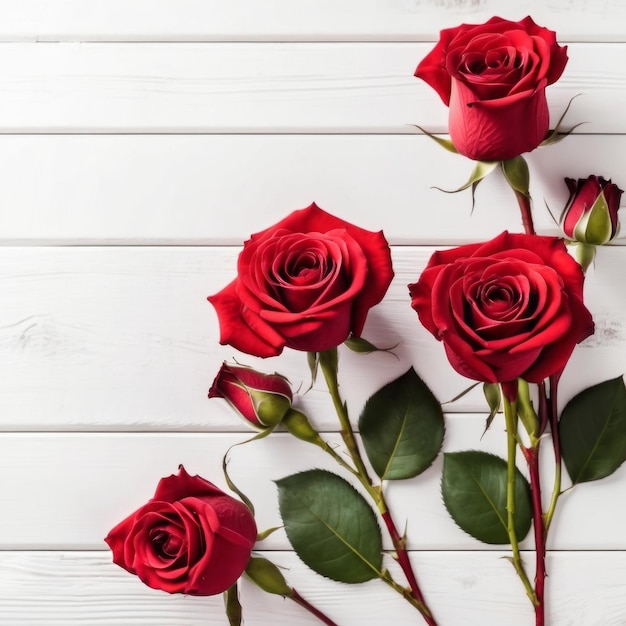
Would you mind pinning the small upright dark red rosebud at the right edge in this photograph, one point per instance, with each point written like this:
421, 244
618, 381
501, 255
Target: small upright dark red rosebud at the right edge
590, 215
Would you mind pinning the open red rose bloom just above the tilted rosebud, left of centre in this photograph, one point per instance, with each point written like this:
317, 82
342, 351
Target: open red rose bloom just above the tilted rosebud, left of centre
307, 283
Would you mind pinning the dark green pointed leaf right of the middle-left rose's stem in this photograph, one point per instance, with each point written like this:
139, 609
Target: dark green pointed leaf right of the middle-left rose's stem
402, 428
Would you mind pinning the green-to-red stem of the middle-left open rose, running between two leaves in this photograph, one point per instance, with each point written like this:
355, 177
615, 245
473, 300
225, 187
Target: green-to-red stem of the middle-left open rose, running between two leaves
329, 365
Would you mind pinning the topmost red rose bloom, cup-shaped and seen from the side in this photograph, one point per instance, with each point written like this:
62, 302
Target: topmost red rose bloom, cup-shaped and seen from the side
493, 77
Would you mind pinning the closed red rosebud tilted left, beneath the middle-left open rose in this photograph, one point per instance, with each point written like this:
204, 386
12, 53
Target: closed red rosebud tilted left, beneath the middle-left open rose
261, 399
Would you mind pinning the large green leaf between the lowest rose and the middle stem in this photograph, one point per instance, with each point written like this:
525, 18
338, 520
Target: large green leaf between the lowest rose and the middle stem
330, 526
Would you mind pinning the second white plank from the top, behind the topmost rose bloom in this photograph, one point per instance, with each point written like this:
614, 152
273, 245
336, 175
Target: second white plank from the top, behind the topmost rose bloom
263, 87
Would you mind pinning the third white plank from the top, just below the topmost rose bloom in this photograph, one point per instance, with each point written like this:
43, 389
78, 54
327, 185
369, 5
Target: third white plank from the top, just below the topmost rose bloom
219, 189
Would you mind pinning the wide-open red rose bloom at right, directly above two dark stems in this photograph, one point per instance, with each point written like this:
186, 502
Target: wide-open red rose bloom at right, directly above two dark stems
505, 309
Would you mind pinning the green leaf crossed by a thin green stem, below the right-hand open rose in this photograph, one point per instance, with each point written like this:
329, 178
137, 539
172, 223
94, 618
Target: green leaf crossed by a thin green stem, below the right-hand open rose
474, 492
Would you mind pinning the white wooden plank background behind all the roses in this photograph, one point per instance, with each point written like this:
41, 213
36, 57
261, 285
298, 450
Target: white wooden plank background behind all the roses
141, 142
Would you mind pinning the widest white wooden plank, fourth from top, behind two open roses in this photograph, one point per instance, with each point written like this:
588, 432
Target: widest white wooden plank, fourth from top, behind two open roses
123, 338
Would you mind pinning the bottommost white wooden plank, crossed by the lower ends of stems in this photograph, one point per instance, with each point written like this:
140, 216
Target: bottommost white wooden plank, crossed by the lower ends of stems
473, 589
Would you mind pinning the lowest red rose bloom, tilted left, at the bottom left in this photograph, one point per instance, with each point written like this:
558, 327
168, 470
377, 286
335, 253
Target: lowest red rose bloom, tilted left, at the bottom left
189, 538
